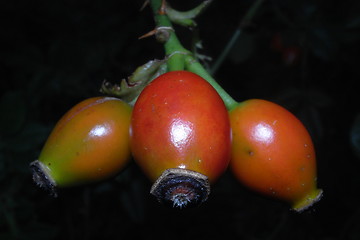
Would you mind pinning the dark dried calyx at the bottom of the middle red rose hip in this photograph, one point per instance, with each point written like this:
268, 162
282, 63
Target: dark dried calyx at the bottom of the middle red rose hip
181, 188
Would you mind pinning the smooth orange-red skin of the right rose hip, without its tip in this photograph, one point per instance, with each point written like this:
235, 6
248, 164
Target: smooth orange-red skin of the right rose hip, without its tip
272, 151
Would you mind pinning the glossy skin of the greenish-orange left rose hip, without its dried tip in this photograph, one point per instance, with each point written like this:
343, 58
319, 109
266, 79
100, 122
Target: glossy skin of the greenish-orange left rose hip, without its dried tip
89, 143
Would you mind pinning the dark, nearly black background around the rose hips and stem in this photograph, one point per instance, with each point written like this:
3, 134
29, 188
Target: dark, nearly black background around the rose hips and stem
54, 54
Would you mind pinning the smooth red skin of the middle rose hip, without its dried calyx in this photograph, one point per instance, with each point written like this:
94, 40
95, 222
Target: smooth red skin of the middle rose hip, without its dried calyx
180, 121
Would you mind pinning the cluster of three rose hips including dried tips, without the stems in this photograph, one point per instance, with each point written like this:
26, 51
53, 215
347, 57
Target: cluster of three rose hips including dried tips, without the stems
183, 138
